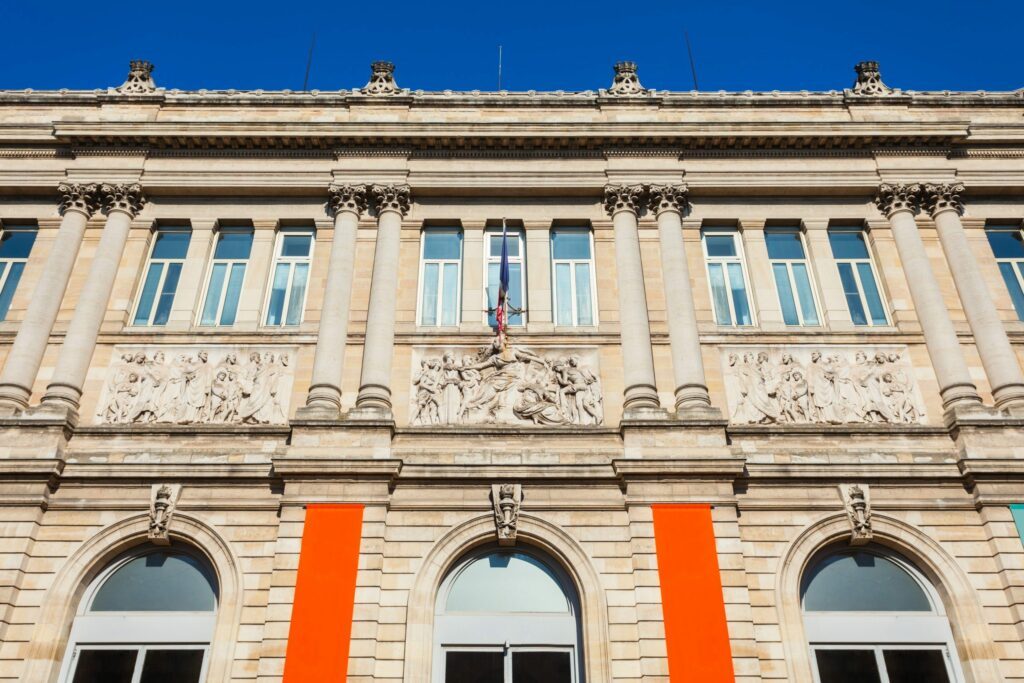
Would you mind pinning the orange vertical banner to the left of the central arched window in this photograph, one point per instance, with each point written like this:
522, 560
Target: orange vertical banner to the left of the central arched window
325, 595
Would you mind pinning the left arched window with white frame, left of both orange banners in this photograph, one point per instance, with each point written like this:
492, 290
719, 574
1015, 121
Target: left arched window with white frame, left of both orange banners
148, 618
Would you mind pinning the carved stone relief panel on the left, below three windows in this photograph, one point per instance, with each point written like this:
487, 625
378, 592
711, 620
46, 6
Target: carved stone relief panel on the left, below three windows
197, 386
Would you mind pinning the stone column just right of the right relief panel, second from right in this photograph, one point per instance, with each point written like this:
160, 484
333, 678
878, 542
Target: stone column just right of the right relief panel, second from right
900, 203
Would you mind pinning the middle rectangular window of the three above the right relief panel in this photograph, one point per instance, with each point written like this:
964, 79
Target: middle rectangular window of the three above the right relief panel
793, 276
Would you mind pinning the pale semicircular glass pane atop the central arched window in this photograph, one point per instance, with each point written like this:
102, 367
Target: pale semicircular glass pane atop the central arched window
527, 586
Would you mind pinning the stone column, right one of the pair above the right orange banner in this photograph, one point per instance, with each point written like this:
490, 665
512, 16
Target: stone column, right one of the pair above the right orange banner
669, 203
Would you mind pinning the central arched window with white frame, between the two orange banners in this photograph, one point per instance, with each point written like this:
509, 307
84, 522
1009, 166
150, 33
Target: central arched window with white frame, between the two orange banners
507, 616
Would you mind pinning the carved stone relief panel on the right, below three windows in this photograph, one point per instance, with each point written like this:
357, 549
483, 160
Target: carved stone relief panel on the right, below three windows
827, 386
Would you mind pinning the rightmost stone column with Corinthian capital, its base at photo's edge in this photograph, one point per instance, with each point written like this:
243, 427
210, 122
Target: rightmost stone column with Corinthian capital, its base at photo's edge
998, 356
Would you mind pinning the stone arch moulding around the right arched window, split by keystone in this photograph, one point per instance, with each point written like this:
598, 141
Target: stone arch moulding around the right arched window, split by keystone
962, 604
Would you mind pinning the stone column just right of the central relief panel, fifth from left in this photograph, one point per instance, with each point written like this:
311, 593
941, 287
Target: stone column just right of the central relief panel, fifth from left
641, 394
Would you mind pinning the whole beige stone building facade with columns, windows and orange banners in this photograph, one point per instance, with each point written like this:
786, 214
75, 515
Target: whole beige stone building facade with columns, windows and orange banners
760, 407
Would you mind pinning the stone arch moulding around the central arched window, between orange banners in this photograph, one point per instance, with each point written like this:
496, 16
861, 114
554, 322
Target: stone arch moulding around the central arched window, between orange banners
534, 532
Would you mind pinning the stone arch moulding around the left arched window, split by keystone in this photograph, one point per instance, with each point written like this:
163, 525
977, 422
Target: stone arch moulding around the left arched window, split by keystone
62, 601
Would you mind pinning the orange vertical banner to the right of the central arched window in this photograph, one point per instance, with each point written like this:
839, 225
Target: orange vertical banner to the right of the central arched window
696, 632
